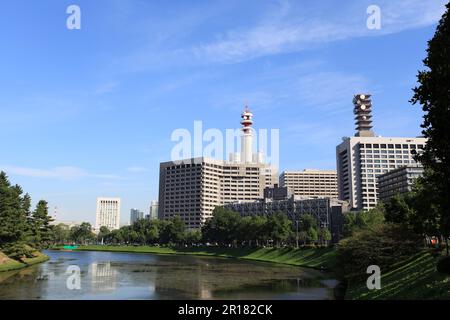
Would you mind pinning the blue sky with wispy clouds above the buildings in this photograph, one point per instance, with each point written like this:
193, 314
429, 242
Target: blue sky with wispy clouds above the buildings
90, 112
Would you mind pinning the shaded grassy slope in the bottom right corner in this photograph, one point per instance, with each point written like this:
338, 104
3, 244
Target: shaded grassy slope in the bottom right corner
415, 278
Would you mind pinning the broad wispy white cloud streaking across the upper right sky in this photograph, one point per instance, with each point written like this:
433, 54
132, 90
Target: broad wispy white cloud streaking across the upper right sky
289, 31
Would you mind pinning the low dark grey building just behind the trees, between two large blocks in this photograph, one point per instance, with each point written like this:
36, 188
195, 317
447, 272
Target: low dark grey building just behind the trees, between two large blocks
328, 212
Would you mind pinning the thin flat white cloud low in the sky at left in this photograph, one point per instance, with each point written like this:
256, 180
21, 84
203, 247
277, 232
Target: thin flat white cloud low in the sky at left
61, 173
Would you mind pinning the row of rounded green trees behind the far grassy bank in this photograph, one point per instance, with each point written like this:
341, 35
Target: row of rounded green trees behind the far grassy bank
225, 229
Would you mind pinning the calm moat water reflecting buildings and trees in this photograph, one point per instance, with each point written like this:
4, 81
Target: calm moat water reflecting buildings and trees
112, 275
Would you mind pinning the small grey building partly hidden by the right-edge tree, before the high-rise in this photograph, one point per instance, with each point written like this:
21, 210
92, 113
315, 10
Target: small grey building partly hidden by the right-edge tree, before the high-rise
400, 180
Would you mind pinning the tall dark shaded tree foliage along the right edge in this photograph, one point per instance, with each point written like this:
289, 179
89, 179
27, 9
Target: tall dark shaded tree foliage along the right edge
433, 94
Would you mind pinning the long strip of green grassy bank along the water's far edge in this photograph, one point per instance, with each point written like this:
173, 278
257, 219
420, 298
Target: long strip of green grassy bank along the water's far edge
310, 257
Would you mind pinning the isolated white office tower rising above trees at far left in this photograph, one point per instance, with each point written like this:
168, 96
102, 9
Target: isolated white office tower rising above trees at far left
108, 213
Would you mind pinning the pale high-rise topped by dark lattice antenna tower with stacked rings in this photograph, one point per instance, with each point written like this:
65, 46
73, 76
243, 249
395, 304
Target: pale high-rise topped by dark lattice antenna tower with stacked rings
364, 157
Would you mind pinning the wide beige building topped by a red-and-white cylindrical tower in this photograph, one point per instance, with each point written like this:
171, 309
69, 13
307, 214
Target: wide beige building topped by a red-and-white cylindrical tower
192, 188
